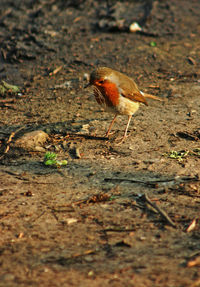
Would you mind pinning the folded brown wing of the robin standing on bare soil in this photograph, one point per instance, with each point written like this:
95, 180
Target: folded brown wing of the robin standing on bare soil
130, 90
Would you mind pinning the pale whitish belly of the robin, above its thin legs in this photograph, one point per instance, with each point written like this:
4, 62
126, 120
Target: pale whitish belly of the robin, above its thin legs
127, 107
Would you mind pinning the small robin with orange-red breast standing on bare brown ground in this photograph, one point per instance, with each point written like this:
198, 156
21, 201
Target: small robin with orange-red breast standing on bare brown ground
117, 93
